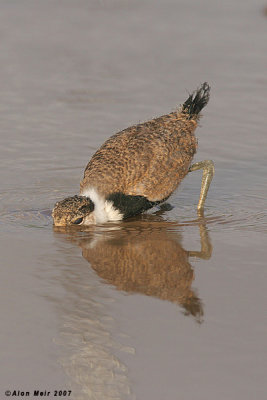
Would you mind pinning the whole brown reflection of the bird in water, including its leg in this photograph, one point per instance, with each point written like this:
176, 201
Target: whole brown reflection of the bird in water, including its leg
145, 256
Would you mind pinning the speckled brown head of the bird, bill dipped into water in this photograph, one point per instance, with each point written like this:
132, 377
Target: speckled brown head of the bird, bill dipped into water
75, 210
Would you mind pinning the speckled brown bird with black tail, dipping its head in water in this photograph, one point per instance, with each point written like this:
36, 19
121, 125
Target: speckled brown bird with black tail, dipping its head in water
139, 167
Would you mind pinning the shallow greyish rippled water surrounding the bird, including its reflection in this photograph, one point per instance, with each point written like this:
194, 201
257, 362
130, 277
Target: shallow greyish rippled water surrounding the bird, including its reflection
166, 305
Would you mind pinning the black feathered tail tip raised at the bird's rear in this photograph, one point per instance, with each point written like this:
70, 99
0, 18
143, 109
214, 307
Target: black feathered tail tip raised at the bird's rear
196, 101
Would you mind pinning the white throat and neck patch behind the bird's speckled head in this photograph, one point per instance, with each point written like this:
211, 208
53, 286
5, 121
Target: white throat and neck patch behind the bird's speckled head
104, 210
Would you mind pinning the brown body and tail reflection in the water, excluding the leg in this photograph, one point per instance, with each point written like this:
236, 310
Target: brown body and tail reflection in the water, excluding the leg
149, 261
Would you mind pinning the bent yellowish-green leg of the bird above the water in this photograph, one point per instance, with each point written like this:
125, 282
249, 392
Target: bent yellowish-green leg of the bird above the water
208, 172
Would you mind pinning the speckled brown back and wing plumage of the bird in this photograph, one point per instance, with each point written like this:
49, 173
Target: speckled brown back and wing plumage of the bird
148, 159
